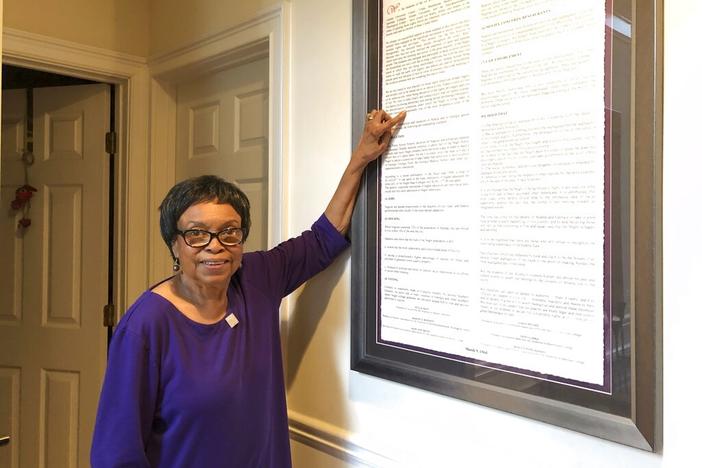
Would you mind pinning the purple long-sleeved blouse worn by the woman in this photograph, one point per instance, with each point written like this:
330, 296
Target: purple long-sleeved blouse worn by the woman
183, 394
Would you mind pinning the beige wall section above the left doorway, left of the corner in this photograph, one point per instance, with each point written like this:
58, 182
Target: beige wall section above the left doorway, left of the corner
118, 25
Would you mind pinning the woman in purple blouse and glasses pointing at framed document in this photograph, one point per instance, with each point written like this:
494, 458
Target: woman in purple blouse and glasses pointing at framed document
194, 376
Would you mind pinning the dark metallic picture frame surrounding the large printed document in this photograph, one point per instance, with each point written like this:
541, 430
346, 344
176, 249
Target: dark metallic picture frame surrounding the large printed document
635, 418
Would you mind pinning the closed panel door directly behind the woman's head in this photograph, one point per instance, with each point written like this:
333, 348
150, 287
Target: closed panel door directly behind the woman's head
222, 129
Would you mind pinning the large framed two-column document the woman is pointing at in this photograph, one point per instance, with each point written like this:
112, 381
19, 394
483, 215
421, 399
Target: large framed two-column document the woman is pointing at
506, 249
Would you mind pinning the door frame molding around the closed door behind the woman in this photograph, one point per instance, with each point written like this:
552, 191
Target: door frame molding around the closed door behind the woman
268, 34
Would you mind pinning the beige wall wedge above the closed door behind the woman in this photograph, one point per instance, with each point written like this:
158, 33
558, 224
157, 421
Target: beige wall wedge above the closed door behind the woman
175, 23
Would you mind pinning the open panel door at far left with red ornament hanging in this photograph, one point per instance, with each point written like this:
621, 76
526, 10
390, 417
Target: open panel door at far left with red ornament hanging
53, 277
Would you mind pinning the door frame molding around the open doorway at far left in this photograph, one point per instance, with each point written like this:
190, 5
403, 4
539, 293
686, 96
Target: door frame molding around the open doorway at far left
130, 74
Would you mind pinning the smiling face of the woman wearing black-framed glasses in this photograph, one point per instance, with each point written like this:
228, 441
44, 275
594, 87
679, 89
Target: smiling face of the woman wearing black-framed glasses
215, 263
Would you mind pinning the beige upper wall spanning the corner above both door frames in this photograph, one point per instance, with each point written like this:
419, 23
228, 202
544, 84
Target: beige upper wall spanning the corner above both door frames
138, 27
